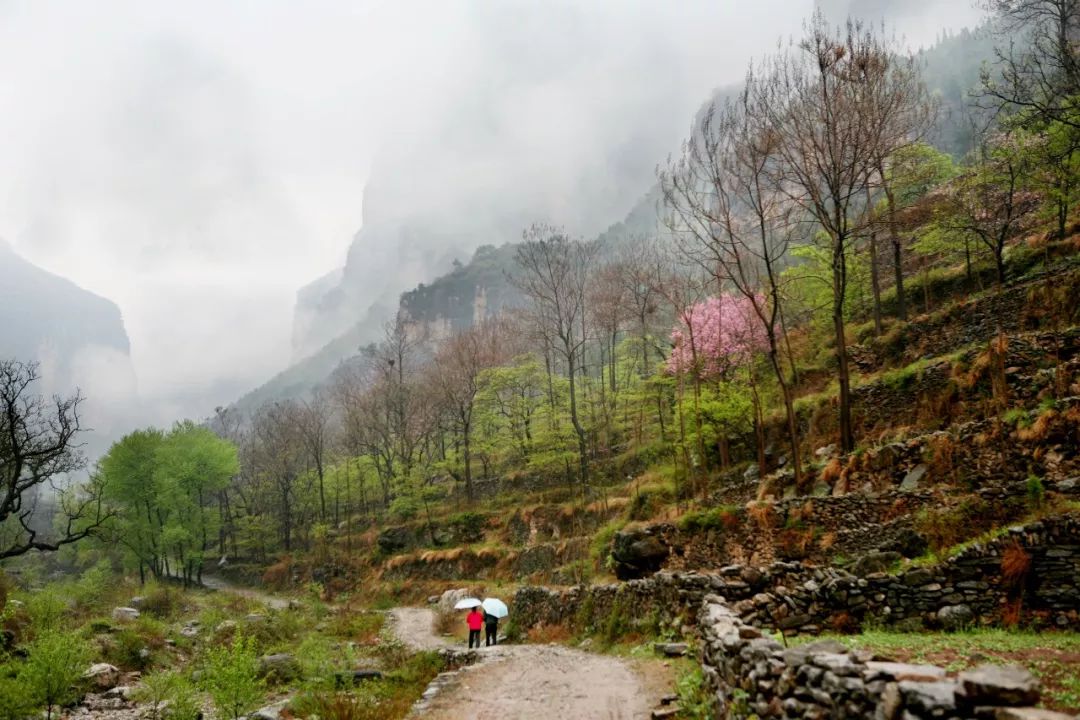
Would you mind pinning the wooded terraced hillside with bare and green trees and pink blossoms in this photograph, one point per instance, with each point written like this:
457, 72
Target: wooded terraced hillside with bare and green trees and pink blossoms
848, 349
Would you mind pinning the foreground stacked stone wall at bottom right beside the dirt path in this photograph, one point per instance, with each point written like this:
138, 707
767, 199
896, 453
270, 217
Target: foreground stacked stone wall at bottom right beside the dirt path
754, 676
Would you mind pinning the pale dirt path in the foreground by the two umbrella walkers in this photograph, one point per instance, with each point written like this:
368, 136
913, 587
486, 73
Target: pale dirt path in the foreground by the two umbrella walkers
532, 683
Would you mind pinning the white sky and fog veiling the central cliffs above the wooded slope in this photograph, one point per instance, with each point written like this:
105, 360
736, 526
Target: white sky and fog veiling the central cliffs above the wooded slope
197, 164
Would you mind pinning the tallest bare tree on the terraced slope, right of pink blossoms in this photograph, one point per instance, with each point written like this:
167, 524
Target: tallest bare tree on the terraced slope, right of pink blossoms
818, 99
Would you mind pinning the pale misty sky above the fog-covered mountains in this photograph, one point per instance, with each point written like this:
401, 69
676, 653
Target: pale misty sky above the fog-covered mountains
197, 162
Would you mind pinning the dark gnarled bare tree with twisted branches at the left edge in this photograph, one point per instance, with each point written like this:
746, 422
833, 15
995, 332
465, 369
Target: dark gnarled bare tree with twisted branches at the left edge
38, 447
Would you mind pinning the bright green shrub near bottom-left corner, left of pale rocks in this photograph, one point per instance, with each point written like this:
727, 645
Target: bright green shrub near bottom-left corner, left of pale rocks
57, 662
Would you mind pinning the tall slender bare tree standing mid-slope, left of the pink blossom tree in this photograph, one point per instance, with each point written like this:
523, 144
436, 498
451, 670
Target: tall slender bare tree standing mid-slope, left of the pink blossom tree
553, 274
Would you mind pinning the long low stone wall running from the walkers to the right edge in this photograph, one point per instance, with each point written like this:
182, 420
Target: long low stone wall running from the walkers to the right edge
798, 599
